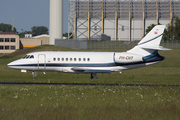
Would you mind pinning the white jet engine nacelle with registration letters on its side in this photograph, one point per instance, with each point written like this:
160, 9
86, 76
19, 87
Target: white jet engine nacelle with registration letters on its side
127, 58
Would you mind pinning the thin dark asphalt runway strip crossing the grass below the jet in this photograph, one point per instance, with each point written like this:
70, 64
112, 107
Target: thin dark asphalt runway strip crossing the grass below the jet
85, 84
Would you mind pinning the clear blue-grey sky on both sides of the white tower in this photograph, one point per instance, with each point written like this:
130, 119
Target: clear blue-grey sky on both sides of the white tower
29, 13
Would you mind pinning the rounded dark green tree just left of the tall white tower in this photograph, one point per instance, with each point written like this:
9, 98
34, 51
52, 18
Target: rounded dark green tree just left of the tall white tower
39, 30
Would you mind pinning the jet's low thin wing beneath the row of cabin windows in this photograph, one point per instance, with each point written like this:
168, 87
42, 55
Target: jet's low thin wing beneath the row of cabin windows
91, 70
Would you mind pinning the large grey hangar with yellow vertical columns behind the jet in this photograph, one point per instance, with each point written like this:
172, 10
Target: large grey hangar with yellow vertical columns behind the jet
118, 19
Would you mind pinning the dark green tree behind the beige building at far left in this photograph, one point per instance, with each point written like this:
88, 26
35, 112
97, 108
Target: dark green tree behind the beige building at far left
7, 28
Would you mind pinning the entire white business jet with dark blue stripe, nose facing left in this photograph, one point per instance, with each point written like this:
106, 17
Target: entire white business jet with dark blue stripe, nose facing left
143, 54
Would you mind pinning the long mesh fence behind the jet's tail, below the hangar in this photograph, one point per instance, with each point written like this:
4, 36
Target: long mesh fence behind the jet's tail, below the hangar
174, 44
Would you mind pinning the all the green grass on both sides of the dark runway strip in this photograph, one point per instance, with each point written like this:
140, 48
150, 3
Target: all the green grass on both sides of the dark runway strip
92, 102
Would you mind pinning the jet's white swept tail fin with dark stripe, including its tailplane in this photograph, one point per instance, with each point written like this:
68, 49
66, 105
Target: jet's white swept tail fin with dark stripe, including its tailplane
150, 42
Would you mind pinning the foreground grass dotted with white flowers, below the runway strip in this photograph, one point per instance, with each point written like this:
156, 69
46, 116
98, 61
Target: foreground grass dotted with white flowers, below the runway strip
89, 102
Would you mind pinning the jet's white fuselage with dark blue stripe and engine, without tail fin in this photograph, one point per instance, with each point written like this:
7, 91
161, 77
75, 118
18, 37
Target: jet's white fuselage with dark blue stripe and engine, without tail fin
77, 62
